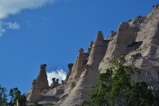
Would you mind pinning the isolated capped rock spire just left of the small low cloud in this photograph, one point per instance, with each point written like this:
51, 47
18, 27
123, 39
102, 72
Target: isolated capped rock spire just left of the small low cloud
41, 79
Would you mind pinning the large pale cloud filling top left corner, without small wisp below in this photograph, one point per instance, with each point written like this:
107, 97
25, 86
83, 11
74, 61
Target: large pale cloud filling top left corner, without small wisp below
8, 7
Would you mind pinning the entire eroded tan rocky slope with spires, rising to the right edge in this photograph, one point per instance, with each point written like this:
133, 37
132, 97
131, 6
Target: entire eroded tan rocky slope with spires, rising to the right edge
137, 40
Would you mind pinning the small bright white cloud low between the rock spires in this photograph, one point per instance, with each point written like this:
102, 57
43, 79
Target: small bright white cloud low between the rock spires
60, 74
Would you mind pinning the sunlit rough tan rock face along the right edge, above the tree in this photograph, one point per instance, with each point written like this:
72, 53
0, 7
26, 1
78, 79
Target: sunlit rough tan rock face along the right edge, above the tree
149, 49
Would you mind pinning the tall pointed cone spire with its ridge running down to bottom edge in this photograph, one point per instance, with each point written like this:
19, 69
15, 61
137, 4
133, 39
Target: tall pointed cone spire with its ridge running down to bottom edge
89, 74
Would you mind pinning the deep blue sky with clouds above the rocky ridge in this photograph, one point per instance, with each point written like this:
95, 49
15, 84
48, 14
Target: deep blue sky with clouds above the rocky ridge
33, 32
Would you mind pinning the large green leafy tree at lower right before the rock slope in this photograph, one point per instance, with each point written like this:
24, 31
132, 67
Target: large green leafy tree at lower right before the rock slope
116, 88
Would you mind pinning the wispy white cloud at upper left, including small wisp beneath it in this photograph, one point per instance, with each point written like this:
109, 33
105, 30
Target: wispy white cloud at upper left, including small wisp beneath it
12, 7
